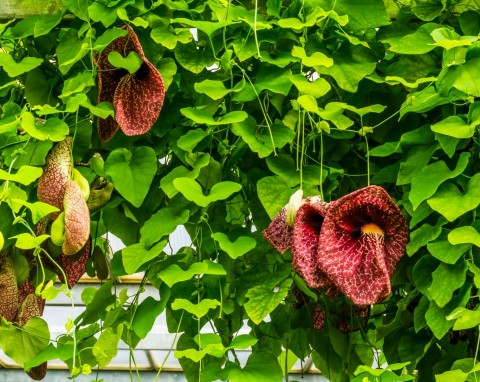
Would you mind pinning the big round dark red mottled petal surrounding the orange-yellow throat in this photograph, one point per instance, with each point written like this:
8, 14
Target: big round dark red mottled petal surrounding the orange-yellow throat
360, 264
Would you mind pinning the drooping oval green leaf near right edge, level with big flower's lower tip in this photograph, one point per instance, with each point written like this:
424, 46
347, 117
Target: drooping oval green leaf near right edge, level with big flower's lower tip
446, 279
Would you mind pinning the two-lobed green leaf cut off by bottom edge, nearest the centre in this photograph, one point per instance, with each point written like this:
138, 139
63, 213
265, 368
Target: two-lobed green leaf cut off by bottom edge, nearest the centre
261, 366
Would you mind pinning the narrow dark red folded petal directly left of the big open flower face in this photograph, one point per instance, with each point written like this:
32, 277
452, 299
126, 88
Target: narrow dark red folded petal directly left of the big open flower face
306, 231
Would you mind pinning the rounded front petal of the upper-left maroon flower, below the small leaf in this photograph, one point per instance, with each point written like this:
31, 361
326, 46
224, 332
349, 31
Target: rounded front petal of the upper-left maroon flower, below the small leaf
139, 99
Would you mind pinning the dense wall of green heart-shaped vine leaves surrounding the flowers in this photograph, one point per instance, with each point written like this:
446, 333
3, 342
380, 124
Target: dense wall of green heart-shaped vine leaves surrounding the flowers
262, 98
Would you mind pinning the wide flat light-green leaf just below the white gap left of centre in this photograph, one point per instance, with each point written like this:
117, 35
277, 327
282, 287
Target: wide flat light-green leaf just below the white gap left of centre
174, 274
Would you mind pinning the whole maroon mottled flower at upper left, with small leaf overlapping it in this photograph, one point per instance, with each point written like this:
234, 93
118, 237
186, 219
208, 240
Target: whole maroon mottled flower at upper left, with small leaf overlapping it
137, 98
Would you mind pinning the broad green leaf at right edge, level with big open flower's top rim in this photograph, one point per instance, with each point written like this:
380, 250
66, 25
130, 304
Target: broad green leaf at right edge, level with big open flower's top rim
452, 204
